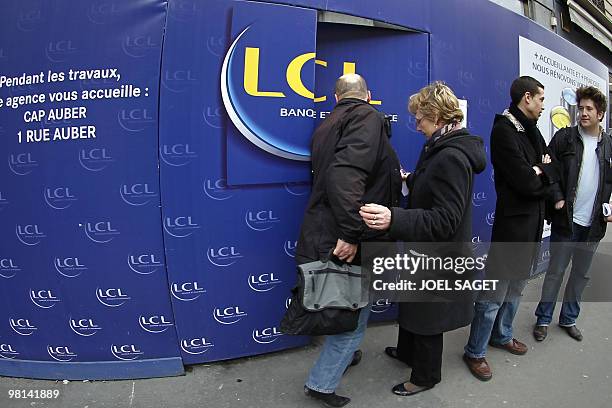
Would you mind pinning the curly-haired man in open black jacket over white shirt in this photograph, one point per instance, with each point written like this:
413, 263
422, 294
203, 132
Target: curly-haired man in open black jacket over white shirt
584, 153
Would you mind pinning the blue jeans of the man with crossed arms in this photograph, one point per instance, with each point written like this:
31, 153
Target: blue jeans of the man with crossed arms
493, 315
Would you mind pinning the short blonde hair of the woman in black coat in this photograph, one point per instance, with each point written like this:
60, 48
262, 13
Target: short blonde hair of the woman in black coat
437, 102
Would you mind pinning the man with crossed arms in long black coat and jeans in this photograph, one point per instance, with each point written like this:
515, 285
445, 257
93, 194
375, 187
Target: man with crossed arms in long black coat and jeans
523, 174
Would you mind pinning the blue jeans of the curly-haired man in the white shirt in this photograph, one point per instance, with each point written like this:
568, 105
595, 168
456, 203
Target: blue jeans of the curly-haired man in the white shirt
563, 249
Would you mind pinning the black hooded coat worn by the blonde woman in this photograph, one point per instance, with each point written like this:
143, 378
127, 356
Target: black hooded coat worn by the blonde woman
440, 210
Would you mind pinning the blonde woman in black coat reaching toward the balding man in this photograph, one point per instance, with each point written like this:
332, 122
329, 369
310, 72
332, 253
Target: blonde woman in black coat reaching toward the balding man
439, 210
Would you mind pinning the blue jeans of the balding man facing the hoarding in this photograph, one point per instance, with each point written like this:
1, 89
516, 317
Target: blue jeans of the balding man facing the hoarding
336, 355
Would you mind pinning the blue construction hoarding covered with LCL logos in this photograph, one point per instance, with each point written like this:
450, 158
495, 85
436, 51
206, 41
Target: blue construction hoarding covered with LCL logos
156, 161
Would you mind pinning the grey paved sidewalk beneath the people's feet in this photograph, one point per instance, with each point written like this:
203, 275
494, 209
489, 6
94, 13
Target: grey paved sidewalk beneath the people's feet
558, 372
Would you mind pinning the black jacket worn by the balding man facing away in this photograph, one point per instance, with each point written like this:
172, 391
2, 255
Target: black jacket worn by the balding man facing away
353, 163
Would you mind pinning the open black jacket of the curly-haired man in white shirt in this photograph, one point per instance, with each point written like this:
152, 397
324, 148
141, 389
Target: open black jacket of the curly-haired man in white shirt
567, 147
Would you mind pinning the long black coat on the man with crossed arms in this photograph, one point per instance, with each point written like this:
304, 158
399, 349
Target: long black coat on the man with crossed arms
517, 146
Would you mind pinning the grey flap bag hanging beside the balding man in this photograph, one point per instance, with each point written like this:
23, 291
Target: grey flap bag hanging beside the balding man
328, 284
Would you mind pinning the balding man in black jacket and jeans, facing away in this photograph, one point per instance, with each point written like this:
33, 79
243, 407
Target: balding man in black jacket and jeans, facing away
353, 163
